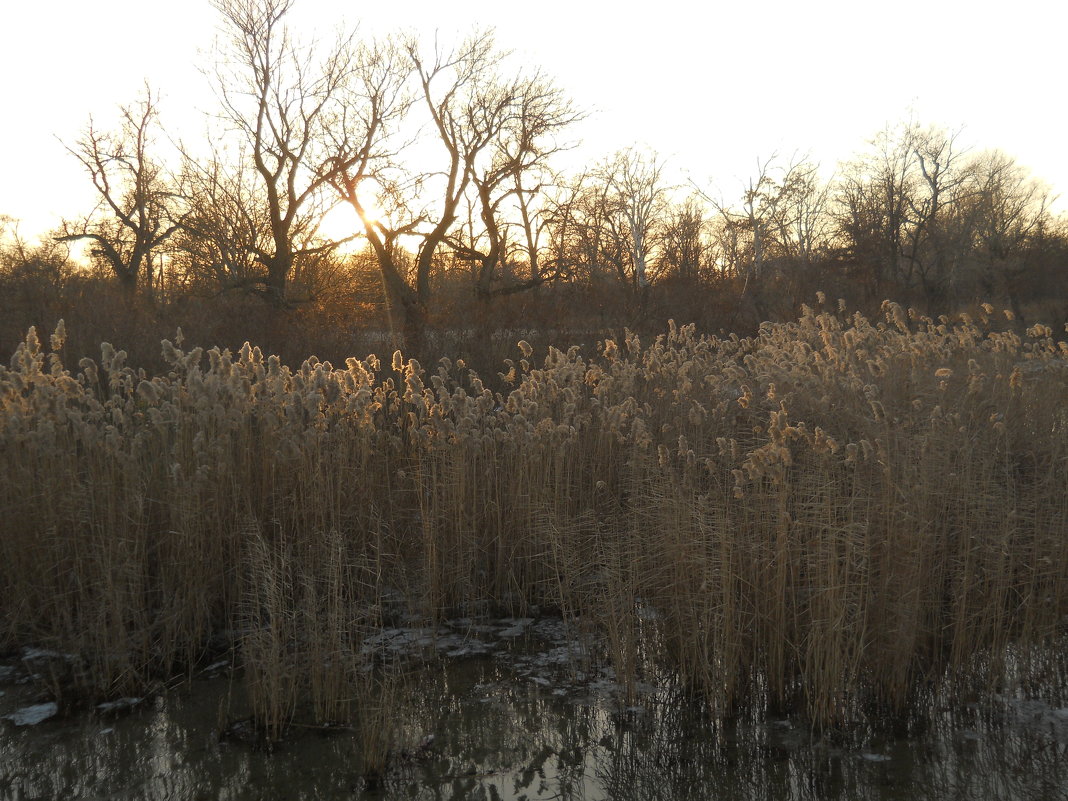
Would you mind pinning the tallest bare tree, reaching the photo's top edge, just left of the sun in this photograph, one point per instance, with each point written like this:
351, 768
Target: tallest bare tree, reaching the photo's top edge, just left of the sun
285, 102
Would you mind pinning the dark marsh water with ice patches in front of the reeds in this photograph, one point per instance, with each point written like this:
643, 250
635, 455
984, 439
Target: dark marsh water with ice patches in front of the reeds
521, 713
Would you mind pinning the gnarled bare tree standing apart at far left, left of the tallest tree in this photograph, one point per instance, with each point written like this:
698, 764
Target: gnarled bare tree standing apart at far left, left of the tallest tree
139, 209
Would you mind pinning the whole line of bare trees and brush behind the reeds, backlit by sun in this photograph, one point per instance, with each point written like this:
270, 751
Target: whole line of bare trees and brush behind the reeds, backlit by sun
463, 224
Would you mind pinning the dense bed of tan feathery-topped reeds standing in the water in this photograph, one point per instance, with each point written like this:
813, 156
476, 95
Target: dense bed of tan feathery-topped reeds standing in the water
836, 515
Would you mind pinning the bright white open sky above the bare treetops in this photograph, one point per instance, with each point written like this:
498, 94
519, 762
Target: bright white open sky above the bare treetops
712, 87
